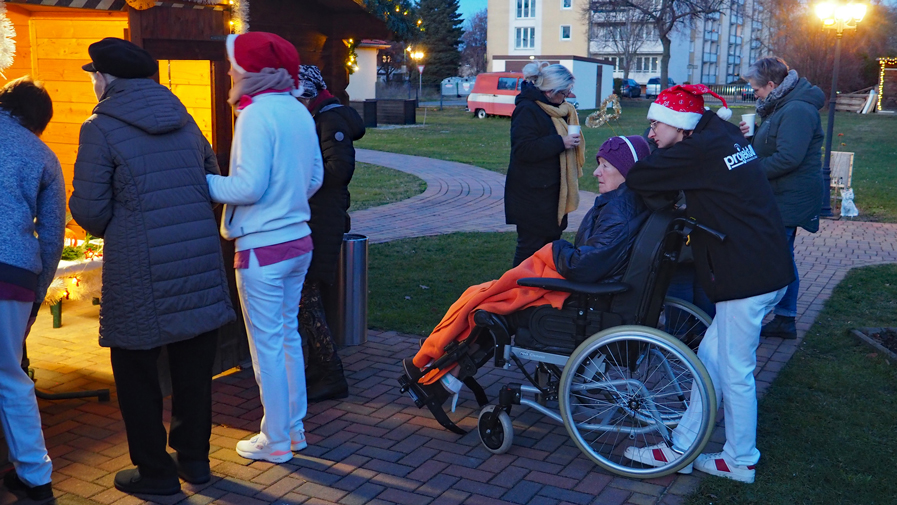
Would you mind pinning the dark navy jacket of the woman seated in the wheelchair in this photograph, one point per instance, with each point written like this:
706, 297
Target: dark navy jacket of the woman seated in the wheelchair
604, 240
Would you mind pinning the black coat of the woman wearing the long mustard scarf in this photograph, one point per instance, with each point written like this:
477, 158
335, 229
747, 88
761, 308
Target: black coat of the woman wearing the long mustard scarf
533, 184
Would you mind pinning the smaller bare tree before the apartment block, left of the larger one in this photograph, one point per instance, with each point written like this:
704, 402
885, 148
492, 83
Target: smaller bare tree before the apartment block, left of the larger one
623, 32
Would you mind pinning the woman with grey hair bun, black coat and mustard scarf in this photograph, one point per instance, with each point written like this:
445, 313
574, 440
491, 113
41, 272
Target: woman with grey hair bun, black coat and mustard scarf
542, 185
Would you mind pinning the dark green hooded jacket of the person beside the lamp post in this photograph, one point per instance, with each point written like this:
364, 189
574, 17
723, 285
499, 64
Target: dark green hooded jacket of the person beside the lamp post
788, 144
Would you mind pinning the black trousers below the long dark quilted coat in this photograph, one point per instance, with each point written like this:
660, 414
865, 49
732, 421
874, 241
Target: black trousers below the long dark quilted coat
140, 398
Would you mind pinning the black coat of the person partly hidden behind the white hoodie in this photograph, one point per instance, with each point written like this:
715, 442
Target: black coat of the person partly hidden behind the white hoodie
337, 128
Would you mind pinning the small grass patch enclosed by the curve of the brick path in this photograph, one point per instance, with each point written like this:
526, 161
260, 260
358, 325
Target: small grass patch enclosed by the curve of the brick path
374, 185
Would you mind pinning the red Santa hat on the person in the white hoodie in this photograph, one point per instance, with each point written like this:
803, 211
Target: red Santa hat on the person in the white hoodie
253, 51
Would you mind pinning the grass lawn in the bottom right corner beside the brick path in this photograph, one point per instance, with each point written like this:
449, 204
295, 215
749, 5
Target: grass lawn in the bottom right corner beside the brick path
827, 425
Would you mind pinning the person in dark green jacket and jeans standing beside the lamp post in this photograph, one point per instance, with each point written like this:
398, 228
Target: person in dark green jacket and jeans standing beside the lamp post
788, 143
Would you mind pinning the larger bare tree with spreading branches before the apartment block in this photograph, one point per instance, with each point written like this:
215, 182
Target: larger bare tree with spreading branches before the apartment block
664, 15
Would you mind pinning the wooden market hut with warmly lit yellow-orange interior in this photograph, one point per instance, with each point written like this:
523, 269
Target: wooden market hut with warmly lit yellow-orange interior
187, 37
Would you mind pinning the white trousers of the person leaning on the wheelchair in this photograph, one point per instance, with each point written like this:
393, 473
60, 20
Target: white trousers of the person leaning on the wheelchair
729, 352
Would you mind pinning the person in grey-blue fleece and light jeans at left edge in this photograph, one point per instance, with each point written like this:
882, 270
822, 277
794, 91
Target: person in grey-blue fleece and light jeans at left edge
32, 224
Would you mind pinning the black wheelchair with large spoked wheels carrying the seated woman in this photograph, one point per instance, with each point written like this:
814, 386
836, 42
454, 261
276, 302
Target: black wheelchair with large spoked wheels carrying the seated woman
614, 365
